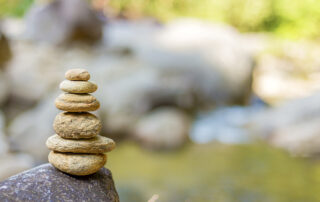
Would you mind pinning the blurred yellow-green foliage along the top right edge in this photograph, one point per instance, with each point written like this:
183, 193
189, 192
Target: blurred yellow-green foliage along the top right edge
287, 18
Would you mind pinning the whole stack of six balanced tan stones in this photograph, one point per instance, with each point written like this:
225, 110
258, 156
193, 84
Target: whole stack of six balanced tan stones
77, 148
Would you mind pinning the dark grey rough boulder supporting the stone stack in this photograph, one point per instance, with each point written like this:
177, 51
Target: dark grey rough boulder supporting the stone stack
45, 183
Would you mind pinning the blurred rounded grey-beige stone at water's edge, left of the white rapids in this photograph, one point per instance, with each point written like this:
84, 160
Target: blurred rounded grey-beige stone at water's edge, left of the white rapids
164, 128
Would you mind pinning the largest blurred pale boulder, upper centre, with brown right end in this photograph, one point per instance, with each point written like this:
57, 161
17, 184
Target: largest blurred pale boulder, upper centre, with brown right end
217, 54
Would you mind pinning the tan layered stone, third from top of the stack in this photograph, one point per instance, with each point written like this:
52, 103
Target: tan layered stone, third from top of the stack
77, 102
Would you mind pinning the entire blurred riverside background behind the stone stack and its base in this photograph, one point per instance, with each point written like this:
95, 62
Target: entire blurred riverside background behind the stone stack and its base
211, 100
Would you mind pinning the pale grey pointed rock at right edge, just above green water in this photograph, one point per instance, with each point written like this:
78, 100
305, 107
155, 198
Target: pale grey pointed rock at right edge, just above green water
293, 125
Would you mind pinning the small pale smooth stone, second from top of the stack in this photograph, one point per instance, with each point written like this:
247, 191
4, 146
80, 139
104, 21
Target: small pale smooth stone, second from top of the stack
78, 86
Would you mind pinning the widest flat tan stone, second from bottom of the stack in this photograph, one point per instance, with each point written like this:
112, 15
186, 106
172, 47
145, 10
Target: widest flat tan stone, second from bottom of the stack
98, 144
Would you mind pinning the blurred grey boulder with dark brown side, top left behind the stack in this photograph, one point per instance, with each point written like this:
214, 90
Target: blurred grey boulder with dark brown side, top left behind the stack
60, 22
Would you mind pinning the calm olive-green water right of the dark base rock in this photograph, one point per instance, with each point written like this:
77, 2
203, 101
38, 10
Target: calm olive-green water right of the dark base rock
214, 172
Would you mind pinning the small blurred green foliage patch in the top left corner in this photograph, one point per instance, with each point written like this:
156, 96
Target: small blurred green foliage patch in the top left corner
14, 7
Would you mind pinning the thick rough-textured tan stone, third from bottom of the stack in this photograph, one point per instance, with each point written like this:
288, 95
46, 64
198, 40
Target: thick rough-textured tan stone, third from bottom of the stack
74, 125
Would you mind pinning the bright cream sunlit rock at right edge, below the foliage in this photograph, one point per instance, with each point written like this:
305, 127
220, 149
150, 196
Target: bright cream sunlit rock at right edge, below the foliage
288, 70
